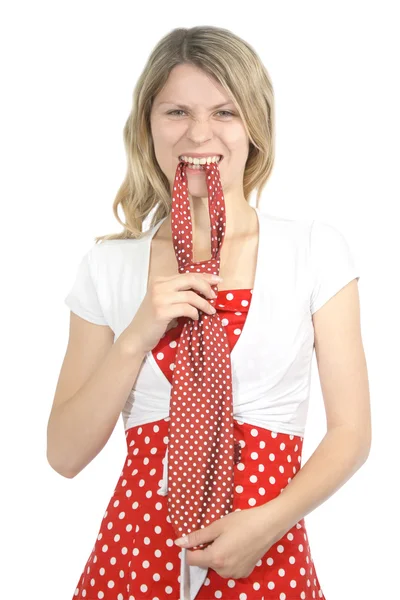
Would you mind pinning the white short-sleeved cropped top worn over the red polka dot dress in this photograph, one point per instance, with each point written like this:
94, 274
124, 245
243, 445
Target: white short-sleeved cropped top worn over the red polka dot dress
300, 266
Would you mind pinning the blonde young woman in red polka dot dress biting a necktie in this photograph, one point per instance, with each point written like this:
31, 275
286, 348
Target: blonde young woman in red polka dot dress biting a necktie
221, 369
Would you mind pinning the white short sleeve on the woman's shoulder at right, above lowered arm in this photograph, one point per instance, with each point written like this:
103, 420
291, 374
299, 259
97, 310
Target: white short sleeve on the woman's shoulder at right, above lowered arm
332, 263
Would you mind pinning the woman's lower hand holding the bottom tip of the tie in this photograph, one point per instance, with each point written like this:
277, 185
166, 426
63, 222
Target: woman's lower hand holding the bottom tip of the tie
239, 540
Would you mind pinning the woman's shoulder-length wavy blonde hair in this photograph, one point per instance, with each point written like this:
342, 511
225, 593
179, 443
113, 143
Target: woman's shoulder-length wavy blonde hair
236, 66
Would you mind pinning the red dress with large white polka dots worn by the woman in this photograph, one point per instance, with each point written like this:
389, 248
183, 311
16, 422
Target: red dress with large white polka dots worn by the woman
134, 556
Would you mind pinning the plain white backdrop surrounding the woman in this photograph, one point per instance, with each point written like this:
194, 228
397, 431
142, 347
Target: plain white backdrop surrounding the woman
68, 72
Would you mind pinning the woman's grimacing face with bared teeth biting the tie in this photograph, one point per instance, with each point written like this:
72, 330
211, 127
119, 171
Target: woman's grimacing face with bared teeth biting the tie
198, 128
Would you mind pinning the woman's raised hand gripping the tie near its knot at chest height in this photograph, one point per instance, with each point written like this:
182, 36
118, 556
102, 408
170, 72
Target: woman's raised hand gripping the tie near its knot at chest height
168, 298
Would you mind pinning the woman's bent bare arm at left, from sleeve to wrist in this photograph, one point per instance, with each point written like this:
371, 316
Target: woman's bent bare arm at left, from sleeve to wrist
103, 373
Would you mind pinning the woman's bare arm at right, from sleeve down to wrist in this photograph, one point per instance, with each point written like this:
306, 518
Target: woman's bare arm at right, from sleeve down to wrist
344, 381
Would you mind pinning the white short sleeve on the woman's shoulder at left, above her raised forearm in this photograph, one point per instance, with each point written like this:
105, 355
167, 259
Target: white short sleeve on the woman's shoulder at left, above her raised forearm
82, 299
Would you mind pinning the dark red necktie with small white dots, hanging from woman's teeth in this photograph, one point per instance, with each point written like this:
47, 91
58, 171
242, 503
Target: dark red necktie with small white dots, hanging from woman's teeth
201, 449
